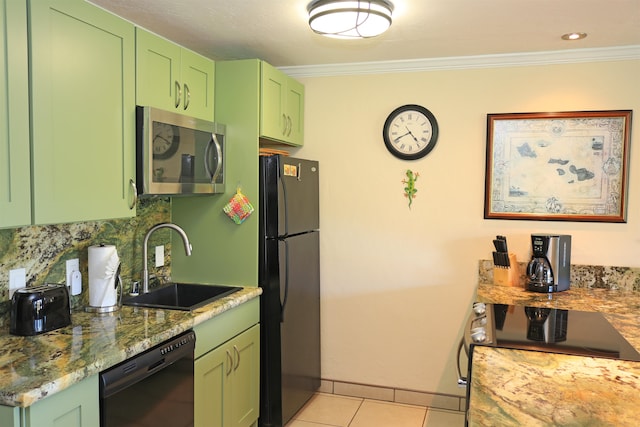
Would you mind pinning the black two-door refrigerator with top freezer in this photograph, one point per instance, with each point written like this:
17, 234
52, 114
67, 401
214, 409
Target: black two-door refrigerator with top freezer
289, 275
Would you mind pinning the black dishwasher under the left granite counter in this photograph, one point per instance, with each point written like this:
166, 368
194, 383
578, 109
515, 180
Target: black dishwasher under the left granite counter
153, 388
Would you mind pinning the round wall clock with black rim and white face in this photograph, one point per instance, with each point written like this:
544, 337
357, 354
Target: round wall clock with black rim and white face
410, 132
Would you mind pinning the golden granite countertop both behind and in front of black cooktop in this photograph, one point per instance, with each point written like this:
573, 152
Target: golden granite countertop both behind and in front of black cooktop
517, 387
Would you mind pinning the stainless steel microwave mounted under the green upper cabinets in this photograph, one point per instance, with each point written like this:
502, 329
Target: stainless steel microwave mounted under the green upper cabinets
177, 154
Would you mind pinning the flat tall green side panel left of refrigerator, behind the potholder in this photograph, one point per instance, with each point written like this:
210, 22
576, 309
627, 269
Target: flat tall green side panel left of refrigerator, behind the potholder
223, 250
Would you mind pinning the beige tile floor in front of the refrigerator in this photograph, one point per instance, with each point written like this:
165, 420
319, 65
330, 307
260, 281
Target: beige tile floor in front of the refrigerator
330, 410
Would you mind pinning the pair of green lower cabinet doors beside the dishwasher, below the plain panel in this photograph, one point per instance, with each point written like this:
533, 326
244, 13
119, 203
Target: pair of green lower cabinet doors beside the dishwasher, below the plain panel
227, 383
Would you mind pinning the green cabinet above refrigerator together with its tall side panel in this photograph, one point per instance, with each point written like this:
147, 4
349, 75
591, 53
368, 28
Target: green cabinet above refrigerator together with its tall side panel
248, 94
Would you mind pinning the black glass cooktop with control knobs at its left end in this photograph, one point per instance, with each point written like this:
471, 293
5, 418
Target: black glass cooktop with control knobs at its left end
552, 330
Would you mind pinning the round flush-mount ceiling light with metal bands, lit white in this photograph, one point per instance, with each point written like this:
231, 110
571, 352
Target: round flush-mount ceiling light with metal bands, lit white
350, 19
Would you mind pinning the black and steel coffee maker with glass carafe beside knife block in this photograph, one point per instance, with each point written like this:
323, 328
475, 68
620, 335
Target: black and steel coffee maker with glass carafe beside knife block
550, 267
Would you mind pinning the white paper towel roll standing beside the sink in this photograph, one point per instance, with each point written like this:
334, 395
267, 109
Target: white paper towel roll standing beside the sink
103, 265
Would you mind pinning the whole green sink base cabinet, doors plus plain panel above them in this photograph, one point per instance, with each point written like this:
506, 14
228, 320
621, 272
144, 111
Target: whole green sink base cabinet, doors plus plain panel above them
227, 368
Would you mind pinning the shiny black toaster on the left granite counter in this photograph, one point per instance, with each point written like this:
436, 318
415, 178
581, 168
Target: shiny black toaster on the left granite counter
39, 309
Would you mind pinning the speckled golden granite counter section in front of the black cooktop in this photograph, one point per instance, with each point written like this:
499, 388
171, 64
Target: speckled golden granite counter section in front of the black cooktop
529, 388
